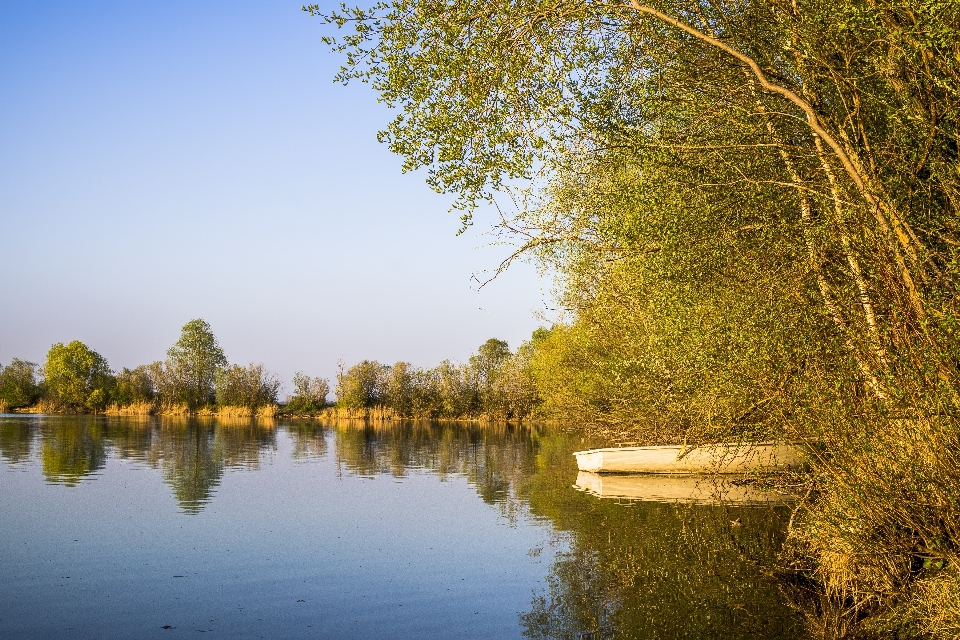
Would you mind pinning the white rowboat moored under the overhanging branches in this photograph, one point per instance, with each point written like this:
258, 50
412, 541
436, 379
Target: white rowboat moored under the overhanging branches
709, 458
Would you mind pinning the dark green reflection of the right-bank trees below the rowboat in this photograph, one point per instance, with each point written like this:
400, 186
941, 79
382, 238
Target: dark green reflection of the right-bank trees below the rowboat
650, 569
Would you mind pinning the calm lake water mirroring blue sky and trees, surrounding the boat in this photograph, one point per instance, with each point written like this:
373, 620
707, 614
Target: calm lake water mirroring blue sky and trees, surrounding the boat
163, 528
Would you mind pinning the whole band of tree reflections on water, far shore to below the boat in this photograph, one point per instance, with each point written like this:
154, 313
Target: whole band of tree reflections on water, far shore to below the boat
634, 569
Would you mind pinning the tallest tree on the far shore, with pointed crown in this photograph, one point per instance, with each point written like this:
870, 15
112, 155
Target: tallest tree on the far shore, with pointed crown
198, 355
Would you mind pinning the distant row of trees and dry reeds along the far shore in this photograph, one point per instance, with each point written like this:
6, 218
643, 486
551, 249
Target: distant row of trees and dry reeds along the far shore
494, 383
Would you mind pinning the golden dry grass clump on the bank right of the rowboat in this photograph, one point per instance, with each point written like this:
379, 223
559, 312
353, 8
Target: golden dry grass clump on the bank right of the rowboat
883, 532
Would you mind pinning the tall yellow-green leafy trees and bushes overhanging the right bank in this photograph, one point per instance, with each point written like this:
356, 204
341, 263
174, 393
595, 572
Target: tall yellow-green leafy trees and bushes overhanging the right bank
688, 164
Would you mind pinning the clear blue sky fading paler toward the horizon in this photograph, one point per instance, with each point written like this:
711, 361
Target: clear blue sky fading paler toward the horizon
171, 160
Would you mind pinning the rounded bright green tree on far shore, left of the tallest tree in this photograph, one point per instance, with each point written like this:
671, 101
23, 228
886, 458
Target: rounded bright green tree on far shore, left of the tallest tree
77, 376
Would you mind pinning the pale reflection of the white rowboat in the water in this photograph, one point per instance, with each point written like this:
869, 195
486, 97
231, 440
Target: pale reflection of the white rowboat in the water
684, 489
